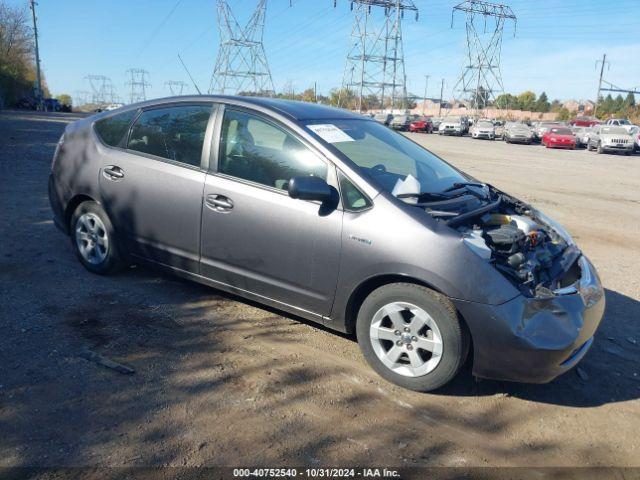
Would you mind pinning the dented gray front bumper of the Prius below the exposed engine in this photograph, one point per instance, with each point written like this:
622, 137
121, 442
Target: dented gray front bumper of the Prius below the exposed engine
535, 340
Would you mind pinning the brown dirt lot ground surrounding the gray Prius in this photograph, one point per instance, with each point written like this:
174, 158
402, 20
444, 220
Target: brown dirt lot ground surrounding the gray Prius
220, 381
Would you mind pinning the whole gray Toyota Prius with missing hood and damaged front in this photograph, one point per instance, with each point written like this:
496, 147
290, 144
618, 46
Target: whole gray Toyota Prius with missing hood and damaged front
333, 217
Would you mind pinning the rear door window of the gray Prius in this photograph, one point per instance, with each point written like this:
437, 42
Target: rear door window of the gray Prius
174, 133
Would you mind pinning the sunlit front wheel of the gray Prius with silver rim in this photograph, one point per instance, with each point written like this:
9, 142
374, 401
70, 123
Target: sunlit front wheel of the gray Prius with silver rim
427, 371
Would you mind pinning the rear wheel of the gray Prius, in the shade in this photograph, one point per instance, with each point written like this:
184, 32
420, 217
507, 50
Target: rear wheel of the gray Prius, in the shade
94, 240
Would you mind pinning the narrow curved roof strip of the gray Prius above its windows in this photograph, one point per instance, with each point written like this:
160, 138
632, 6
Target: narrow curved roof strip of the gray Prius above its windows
296, 110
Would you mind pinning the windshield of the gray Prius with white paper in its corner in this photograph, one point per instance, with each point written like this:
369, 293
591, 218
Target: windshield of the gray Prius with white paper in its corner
388, 157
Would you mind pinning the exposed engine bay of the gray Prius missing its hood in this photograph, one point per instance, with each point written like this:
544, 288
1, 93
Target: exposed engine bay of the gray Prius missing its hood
508, 233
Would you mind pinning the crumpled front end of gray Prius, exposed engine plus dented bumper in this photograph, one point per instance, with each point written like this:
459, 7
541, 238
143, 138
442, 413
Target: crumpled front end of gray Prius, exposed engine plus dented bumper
547, 329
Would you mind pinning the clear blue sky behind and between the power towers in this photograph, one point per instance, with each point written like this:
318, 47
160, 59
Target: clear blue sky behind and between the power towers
553, 48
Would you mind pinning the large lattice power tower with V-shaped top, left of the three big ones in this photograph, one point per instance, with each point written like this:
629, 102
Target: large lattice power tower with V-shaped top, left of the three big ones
241, 65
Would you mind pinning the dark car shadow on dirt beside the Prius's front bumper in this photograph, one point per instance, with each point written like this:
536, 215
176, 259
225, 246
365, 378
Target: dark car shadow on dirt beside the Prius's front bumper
609, 373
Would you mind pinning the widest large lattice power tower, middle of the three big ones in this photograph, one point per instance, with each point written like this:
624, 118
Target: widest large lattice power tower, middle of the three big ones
375, 64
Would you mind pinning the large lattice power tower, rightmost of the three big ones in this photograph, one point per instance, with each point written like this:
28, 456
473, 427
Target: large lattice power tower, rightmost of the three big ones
481, 77
